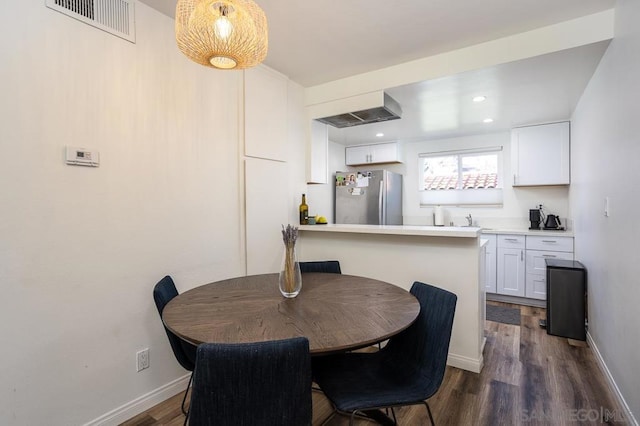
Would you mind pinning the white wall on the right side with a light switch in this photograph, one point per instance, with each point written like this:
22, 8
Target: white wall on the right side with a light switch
605, 153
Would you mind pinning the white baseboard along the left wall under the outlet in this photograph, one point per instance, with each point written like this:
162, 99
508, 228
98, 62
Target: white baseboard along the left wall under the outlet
141, 404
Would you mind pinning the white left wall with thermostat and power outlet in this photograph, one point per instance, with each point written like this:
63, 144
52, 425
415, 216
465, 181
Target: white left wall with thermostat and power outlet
81, 248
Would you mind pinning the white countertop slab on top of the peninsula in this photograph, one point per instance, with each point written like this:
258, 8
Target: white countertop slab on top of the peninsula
425, 231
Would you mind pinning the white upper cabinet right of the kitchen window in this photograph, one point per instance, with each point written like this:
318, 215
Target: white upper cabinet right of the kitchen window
540, 154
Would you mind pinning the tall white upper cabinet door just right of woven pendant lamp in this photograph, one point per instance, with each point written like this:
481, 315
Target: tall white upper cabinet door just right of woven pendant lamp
265, 114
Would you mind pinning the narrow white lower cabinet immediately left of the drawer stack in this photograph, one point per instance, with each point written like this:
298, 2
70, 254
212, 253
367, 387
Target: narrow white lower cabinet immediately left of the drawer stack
511, 265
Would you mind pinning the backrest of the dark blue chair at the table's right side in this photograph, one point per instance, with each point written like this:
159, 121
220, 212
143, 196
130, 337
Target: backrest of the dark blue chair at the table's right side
422, 348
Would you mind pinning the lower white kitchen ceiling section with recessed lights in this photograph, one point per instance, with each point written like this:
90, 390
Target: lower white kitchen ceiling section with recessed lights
542, 89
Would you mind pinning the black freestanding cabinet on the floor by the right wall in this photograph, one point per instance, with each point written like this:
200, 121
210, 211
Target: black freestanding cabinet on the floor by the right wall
566, 294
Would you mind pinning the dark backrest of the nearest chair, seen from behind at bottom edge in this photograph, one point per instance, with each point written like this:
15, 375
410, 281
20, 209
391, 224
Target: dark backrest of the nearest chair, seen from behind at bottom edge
252, 384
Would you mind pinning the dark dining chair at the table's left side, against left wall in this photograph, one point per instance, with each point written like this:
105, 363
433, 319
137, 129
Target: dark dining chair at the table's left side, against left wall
164, 291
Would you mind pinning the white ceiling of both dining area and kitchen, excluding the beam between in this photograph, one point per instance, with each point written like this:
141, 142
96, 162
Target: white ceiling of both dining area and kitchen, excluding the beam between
313, 42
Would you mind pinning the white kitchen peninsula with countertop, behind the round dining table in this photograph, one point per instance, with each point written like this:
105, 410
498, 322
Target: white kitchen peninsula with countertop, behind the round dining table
447, 257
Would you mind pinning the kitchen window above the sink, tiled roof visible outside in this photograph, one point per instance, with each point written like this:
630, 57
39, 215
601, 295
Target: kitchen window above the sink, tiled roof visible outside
462, 177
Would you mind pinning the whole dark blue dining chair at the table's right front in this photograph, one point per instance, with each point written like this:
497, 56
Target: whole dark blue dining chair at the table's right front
407, 371
